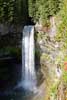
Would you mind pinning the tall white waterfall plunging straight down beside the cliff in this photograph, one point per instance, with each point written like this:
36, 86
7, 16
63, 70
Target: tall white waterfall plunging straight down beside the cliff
28, 65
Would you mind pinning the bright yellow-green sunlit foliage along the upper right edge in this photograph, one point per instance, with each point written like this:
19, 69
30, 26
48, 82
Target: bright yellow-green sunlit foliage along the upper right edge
62, 27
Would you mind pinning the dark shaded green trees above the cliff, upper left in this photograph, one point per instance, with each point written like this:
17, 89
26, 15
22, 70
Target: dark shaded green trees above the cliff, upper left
12, 10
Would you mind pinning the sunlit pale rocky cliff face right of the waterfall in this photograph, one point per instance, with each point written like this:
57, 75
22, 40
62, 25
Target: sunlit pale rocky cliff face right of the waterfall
49, 59
